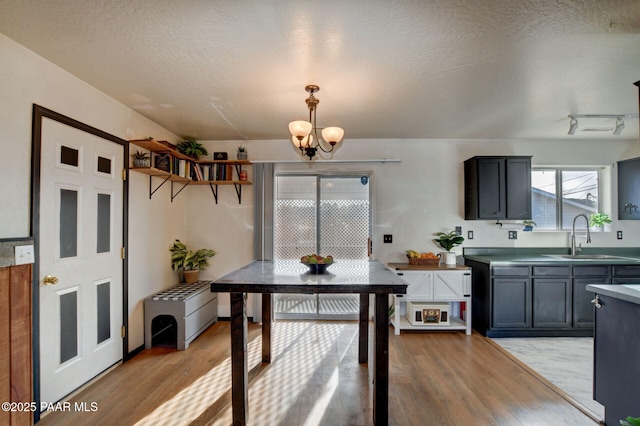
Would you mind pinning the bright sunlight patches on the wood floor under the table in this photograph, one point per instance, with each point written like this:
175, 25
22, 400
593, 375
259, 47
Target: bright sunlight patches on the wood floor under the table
298, 348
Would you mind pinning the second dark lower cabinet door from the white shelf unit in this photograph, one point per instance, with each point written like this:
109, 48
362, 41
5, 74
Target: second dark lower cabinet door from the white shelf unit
552, 302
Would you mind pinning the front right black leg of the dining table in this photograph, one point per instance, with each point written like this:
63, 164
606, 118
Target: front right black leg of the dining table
381, 361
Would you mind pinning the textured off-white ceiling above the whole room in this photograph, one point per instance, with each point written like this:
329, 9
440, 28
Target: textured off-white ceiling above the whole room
236, 69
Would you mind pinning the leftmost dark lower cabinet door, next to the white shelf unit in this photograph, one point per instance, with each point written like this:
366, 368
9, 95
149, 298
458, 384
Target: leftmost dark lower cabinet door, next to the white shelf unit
511, 303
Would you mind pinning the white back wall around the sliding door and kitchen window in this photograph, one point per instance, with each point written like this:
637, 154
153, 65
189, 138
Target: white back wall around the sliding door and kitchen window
413, 199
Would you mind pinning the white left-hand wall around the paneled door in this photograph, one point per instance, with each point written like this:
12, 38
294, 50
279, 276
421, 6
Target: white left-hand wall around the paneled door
25, 79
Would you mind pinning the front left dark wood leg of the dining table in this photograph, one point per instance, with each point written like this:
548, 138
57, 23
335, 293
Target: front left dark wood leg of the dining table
239, 359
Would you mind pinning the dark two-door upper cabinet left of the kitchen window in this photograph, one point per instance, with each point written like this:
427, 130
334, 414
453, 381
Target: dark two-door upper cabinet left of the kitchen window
497, 188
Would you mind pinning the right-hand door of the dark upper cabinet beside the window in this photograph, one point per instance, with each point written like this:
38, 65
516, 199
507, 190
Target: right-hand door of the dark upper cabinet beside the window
518, 188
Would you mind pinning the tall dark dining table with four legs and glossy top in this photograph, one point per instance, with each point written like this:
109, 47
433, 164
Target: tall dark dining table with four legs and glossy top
267, 277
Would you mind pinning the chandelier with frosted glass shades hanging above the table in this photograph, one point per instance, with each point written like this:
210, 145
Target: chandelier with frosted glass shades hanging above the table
303, 132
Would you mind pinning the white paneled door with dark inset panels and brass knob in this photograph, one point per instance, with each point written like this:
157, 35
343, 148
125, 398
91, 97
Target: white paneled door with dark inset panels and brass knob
81, 232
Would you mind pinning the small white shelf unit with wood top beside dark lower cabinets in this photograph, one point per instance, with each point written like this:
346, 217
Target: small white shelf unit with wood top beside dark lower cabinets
434, 284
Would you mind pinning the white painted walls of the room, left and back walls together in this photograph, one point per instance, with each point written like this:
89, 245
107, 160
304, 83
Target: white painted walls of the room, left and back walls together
415, 198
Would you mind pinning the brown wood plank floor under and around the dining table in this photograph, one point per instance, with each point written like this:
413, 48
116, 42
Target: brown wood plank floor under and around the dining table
315, 379
